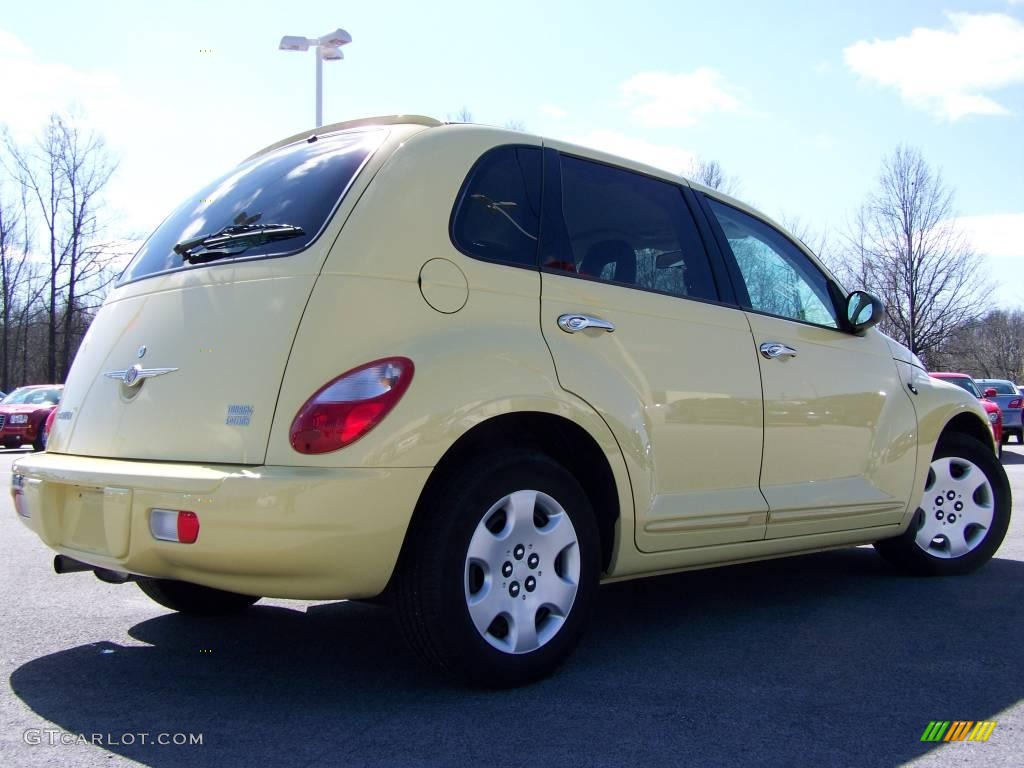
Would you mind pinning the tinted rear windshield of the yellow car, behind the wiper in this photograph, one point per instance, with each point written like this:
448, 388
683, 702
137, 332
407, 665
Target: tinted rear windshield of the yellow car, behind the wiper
300, 185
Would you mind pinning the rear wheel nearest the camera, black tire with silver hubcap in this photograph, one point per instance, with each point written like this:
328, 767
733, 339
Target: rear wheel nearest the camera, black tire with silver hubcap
435, 582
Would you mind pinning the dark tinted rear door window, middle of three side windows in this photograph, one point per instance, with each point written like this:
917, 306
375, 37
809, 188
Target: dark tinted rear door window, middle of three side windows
632, 230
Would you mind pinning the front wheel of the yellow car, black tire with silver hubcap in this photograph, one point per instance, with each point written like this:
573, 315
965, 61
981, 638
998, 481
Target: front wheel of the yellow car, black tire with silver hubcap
905, 551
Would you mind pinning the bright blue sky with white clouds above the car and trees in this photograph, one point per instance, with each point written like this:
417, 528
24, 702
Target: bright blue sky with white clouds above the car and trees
800, 101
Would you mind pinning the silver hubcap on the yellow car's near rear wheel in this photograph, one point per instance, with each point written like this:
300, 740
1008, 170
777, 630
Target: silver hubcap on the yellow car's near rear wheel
523, 572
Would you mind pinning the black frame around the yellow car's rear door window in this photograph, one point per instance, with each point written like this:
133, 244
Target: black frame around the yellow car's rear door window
554, 218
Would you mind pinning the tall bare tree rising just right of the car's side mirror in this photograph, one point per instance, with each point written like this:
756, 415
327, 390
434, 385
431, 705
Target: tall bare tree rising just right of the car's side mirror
908, 250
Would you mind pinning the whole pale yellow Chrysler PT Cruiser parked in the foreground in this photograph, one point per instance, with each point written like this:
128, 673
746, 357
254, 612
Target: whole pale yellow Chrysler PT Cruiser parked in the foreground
478, 373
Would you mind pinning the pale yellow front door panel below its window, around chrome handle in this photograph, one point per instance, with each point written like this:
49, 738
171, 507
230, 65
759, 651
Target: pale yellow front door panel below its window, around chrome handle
840, 431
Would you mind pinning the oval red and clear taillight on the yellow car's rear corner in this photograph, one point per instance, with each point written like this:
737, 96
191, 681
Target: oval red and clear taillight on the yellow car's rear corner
348, 408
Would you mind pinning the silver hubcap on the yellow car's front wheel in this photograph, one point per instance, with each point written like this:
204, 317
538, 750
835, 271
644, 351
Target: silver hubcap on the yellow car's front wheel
957, 509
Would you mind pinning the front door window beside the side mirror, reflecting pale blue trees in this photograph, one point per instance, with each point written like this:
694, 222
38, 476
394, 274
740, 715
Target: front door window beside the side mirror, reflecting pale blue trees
780, 278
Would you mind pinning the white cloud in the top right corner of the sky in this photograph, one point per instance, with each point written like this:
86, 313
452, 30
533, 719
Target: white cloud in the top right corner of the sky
948, 72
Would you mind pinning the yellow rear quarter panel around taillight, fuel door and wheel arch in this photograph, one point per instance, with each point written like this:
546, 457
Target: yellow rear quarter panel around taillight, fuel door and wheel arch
483, 361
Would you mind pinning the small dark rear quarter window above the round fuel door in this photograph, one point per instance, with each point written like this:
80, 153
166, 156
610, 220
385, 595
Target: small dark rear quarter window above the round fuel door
498, 216
